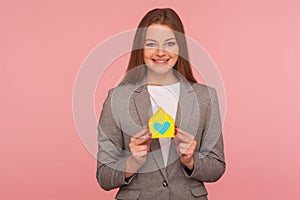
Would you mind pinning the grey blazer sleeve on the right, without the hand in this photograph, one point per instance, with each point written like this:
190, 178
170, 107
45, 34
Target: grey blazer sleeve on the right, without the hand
209, 162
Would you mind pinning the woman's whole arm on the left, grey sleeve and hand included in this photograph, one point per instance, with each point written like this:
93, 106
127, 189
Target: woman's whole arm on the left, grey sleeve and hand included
117, 166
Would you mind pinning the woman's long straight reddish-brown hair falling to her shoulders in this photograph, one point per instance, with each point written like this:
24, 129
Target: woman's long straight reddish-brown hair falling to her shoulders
163, 16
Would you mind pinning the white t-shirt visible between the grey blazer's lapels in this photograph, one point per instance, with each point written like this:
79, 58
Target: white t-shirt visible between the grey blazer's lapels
165, 97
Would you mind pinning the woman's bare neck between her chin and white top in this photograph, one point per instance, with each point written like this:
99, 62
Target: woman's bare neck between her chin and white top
161, 79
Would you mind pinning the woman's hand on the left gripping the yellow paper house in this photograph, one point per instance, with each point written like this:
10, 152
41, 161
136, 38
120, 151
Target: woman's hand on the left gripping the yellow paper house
140, 145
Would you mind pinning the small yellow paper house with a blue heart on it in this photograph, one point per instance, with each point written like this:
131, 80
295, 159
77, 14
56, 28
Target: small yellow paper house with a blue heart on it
161, 124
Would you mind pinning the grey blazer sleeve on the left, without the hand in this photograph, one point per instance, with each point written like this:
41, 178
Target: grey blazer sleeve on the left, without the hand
111, 157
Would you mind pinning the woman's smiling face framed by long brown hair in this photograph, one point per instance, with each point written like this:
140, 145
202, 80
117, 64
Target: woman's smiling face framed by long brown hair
160, 49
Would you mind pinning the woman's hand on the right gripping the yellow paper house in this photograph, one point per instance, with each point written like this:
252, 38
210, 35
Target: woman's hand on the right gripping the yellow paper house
185, 146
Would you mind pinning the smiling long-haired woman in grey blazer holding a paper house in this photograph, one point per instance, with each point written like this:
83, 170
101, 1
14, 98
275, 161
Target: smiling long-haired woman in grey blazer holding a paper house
159, 75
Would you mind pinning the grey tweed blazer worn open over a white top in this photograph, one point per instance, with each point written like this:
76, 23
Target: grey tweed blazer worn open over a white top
126, 110
